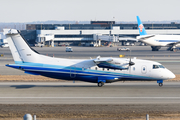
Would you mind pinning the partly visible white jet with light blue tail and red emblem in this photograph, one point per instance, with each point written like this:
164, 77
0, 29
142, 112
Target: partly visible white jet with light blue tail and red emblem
157, 41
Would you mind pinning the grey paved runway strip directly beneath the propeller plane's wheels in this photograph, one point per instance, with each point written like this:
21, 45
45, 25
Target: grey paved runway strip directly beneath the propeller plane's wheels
89, 93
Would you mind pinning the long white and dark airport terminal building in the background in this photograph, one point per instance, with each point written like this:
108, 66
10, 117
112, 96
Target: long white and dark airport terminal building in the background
93, 33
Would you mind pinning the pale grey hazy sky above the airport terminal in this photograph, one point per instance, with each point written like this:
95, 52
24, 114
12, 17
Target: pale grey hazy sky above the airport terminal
87, 10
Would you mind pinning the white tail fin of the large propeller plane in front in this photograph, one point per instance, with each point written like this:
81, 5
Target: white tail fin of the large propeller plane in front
20, 49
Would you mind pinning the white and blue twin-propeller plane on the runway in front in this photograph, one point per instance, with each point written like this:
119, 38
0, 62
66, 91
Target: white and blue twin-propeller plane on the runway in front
99, 70
